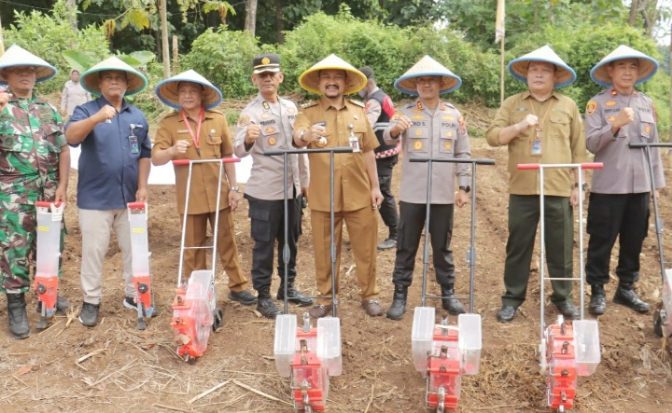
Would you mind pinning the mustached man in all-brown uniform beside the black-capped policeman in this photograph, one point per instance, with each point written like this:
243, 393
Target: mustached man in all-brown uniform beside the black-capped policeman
334, 121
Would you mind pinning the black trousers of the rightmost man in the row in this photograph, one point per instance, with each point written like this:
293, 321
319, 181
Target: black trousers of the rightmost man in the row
625, 216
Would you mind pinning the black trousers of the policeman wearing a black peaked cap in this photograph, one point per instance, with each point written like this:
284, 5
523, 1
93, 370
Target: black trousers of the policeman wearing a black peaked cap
267, 226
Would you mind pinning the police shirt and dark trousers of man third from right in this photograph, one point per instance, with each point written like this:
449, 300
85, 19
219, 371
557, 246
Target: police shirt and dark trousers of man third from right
438, 133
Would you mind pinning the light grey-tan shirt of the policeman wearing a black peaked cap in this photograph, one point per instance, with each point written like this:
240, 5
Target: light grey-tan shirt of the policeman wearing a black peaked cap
276, 133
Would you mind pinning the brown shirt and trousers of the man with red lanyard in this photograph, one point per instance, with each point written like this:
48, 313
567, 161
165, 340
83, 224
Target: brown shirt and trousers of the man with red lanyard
215, 143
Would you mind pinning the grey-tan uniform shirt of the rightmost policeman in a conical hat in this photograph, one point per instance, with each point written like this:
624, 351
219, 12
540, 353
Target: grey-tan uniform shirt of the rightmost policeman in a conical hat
626, 170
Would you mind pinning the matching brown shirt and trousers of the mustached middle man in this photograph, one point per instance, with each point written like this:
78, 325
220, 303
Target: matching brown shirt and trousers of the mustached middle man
352, 194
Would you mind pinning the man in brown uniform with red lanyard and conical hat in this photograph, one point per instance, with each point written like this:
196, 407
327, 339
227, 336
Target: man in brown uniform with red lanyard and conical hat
198, 132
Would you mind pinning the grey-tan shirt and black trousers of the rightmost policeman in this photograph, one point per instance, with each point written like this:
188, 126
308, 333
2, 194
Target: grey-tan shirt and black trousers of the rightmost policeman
620, 192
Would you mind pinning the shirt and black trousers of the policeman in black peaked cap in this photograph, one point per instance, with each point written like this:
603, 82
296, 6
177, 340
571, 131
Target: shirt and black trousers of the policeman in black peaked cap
265, 190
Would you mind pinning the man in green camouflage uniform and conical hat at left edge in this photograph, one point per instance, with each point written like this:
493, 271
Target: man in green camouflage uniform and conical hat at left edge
34, 166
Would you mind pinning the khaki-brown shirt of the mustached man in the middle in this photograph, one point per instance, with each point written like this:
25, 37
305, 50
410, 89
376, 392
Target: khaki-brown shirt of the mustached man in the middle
352, 189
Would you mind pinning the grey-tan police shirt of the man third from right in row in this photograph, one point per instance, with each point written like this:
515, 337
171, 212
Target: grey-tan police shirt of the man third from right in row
440, 133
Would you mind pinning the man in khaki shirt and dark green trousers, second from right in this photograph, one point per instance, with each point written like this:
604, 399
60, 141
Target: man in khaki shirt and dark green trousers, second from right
540, 126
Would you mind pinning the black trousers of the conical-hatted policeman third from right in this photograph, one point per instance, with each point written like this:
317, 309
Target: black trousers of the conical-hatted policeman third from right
411, 224
